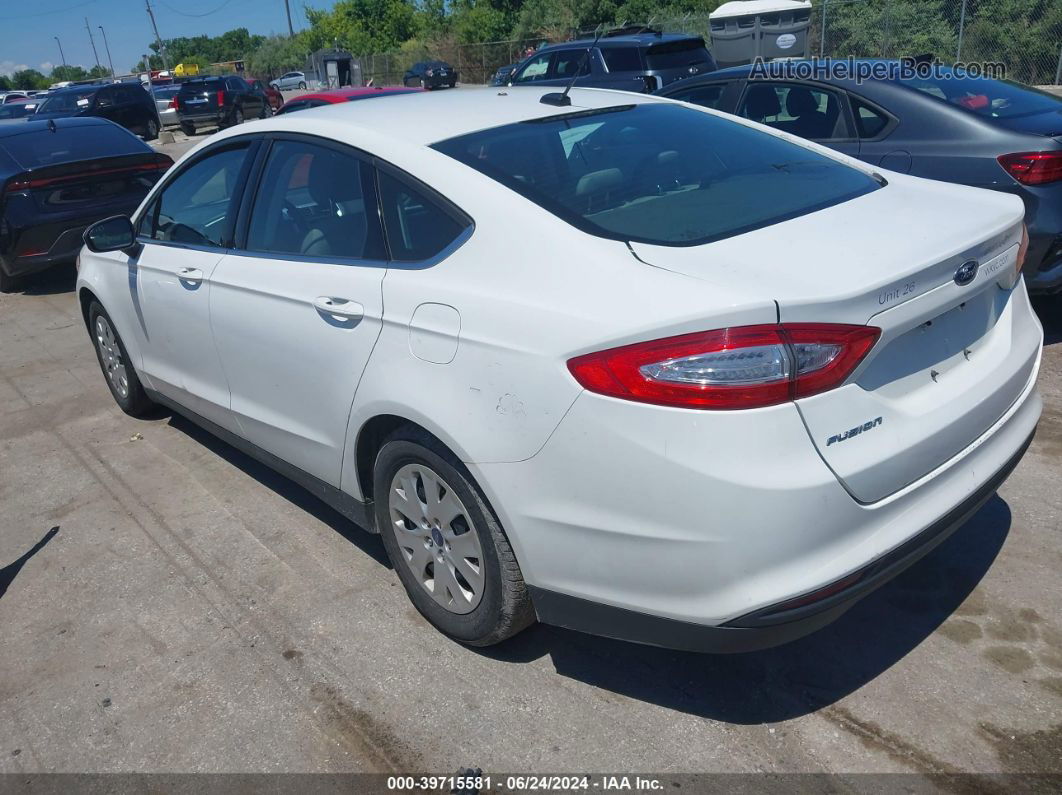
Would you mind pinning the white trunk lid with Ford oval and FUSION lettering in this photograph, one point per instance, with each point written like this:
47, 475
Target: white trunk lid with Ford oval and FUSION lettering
952, 358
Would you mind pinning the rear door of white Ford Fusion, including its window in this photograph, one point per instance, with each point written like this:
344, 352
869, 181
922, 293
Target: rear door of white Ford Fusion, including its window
298, 309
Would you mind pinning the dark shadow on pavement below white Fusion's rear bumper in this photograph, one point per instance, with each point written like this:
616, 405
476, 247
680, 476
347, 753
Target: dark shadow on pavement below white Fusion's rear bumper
798, 679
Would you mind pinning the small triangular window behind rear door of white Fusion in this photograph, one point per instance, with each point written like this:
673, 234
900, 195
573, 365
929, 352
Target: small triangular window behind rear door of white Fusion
418, 228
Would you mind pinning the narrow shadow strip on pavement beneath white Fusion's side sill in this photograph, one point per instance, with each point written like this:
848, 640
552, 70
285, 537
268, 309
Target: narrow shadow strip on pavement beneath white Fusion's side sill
368, 543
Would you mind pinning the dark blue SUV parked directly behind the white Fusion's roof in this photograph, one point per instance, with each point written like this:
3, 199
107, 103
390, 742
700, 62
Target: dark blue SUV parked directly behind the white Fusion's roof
638, 62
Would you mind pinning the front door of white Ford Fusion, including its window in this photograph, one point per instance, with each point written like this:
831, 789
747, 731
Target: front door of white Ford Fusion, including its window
185, 231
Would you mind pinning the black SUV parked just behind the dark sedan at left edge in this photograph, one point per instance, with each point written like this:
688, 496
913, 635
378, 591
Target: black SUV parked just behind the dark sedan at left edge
127, 105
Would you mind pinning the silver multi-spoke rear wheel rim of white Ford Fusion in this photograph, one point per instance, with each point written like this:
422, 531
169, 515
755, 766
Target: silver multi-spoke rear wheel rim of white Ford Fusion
437, 539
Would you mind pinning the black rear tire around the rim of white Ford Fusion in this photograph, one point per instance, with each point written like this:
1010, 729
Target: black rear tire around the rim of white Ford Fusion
505, 608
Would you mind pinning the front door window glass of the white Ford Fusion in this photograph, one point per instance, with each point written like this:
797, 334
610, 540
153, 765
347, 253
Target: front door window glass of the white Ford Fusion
196, 208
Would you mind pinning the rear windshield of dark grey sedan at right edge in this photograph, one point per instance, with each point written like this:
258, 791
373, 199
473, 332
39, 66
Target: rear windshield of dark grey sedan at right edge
994, 99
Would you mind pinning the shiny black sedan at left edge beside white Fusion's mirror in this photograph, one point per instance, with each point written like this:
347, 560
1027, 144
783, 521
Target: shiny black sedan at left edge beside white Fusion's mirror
57, 178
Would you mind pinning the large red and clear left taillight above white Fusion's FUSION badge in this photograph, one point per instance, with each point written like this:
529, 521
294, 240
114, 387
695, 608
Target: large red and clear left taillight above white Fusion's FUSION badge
742, 368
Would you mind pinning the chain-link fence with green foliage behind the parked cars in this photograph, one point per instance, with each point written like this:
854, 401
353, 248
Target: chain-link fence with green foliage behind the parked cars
1024, 36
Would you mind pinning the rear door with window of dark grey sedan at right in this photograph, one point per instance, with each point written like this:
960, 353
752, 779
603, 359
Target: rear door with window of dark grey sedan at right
808, 110
